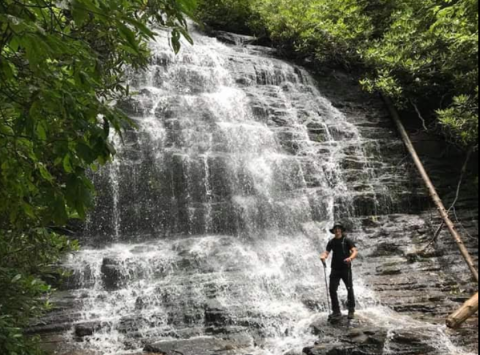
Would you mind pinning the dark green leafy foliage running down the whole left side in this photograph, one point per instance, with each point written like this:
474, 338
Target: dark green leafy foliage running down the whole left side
61, 67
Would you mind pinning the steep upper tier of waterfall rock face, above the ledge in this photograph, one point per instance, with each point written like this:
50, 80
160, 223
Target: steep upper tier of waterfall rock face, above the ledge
199, 165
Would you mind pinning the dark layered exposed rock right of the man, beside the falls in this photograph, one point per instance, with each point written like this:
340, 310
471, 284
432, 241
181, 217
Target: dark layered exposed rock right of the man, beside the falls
424, 284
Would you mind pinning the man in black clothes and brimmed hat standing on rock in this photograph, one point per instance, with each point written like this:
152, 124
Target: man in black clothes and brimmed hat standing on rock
344, 252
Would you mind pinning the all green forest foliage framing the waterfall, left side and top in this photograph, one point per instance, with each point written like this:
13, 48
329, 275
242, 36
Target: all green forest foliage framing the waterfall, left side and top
62, 67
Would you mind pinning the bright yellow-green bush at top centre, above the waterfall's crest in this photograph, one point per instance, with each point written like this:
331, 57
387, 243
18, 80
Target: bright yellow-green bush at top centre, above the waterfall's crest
329, 30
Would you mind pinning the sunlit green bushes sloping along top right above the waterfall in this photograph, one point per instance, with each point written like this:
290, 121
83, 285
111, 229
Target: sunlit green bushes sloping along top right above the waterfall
422, 54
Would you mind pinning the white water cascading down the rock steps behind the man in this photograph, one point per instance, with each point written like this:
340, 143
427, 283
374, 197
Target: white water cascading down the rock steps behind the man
212, 219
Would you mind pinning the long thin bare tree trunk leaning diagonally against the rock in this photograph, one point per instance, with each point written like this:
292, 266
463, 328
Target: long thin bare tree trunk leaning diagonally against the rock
431, 188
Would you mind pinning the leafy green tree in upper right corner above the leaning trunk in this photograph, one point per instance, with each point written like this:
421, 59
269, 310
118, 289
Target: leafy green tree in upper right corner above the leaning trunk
428, 55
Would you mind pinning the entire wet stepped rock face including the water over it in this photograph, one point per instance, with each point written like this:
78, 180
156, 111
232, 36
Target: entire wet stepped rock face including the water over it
206, 235
